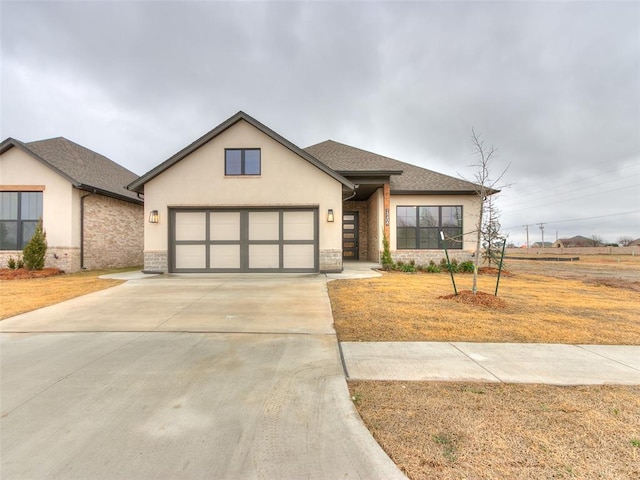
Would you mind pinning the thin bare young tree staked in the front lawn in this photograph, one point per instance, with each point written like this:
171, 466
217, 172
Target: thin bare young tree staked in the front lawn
486, 185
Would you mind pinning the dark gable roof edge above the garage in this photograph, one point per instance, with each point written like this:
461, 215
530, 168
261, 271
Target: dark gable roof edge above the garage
138, 185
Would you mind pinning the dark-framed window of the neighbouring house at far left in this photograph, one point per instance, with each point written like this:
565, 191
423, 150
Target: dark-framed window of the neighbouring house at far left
19, 216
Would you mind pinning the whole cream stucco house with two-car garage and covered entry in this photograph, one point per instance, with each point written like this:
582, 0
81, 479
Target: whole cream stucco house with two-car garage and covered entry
242, 198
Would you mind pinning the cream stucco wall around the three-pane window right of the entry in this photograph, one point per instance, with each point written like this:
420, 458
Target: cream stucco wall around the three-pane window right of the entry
470, 212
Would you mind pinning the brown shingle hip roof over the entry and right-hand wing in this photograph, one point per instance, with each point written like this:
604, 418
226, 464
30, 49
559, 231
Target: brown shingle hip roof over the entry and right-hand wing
404, 177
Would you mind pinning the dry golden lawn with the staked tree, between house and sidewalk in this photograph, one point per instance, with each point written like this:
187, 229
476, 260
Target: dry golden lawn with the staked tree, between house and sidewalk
537, 309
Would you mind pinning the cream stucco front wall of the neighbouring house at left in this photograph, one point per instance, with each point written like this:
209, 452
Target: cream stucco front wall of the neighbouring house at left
59, 206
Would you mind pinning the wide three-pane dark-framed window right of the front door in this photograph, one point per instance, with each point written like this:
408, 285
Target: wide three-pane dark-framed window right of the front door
418, 227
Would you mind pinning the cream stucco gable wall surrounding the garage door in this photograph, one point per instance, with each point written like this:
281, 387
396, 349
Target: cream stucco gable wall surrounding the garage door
286, 180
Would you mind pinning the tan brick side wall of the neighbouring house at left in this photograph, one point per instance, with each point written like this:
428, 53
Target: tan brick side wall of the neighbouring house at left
113, 233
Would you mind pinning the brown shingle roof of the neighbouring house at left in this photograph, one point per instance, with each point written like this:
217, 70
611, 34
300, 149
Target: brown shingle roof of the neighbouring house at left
83, 168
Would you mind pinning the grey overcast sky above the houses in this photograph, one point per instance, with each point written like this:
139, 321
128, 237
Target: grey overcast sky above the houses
554, 86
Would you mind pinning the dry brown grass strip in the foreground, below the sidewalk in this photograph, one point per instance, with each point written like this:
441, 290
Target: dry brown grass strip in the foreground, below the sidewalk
497, 431
